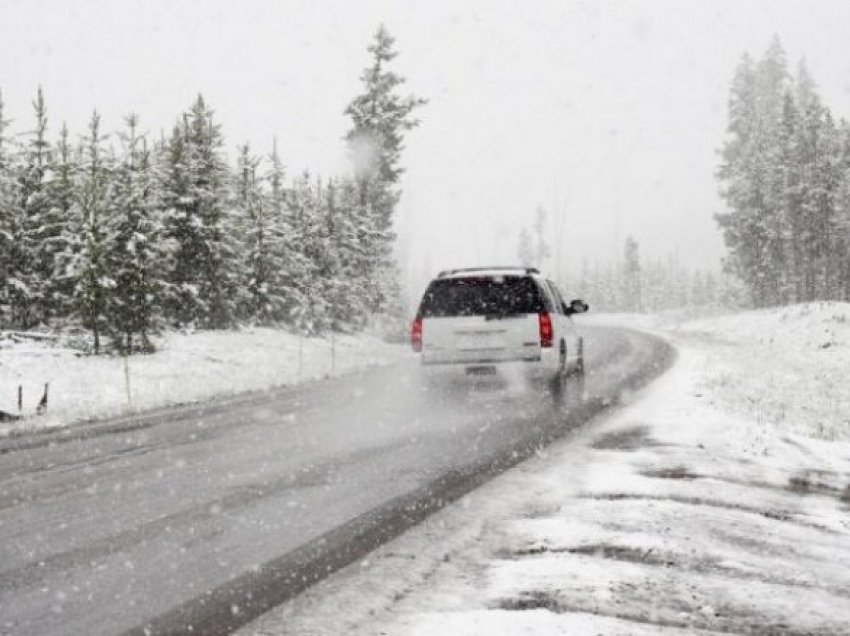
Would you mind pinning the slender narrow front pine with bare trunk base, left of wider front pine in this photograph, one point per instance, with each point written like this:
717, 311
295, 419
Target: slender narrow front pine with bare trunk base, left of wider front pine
94, 285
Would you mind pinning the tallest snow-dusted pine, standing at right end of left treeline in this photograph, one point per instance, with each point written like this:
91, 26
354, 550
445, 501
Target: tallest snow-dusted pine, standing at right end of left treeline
380, 116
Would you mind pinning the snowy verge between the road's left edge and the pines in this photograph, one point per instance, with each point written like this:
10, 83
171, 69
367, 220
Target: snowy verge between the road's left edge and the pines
186, 368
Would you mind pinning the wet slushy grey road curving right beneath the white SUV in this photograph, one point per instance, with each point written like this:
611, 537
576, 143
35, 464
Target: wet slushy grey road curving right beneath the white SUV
207, 517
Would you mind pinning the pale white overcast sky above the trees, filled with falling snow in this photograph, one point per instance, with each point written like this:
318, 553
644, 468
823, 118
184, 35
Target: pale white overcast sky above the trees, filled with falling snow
608, 114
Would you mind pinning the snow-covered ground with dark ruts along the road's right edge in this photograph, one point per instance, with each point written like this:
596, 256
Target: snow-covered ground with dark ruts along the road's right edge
718, 501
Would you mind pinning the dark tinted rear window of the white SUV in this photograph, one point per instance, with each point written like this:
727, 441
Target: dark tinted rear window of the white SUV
481, 296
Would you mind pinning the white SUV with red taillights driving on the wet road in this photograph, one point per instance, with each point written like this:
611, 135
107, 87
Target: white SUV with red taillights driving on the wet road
482, 318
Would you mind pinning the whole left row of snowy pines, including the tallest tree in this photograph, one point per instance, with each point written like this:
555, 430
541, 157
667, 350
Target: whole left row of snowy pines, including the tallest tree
124, 233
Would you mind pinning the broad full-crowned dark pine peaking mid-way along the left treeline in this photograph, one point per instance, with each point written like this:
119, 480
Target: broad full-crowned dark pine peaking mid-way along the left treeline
205, 275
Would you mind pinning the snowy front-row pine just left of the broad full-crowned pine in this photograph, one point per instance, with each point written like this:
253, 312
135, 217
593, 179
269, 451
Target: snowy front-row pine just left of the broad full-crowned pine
137, 256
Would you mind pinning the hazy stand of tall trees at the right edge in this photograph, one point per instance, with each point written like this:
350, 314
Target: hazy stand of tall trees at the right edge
785, 176
